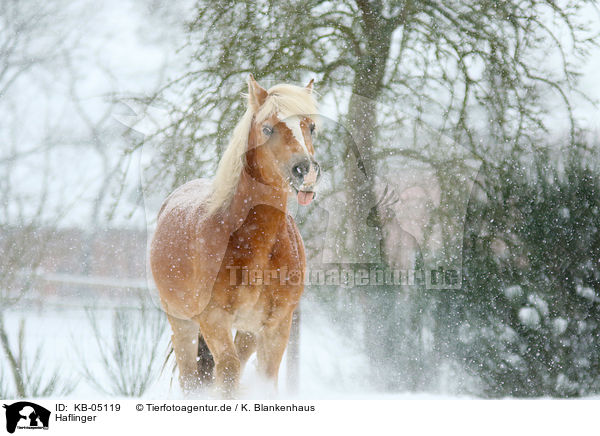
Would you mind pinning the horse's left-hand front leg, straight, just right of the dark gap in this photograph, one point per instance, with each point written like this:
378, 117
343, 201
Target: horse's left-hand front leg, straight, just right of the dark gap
215, 326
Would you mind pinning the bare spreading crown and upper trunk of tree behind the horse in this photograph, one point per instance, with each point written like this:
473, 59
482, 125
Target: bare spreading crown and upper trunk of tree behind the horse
444, 65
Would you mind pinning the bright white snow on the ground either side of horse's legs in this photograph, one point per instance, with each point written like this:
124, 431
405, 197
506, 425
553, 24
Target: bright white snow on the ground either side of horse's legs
331, 366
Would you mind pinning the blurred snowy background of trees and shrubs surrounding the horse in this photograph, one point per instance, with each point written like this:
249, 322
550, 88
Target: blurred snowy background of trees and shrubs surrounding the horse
459, 145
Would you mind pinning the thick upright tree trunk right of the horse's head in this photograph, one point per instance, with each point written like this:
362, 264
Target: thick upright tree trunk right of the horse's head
365, 241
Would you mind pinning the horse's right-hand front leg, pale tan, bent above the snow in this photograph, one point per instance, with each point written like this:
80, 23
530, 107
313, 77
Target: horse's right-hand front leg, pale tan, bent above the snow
272, 341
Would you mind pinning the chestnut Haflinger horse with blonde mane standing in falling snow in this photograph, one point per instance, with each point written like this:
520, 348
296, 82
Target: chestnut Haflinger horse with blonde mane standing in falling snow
210, 237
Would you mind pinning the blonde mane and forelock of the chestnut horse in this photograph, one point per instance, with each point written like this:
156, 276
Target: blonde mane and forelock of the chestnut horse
284, 100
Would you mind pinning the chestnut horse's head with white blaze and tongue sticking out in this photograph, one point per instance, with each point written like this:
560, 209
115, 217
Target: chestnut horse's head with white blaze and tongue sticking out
280, 145
